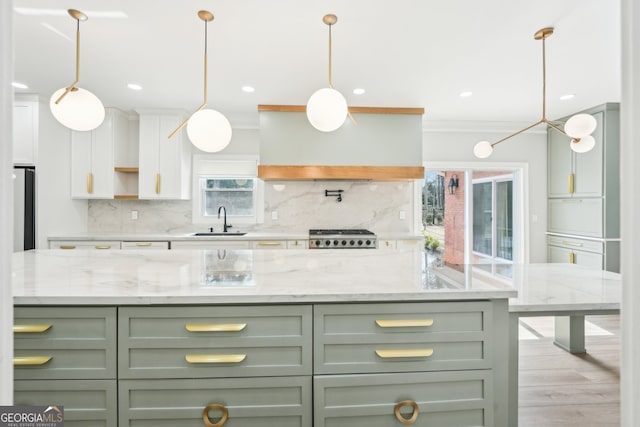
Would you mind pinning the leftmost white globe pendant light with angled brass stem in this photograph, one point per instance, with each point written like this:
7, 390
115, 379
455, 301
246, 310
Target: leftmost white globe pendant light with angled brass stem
76, 108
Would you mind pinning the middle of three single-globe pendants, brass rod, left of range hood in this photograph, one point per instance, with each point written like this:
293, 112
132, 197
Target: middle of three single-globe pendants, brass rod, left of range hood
207, 129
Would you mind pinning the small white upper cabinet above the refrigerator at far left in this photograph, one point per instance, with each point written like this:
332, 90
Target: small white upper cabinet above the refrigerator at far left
25, 130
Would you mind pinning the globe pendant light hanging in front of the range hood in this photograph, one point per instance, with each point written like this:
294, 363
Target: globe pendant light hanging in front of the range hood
327, 109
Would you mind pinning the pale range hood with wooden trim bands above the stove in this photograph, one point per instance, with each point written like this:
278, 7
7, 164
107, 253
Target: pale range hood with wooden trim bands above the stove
384, 144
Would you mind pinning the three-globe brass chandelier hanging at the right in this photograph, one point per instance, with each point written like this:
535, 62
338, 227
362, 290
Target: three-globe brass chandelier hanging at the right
579, 127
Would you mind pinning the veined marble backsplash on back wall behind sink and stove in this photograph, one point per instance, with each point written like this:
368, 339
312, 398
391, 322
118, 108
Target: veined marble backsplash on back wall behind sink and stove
300, 205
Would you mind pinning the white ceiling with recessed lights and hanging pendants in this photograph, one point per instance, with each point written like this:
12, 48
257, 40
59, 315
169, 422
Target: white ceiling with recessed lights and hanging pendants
404, 53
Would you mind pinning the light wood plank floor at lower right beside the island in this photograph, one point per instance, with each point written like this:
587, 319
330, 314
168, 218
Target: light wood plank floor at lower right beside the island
561, 389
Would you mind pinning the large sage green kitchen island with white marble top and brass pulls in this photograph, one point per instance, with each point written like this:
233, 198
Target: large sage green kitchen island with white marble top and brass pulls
280, 337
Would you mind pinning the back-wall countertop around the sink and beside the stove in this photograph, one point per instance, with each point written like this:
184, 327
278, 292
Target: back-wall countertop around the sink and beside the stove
250, 235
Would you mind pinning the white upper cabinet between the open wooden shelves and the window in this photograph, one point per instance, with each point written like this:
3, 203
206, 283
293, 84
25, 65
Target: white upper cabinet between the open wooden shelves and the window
164, 164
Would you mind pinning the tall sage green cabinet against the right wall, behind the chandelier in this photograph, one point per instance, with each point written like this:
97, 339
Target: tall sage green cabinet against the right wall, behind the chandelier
584, 191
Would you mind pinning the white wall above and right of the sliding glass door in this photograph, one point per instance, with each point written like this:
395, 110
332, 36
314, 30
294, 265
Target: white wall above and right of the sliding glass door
452, 143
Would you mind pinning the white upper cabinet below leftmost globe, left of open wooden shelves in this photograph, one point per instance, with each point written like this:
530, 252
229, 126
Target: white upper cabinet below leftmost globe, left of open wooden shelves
92, 157
